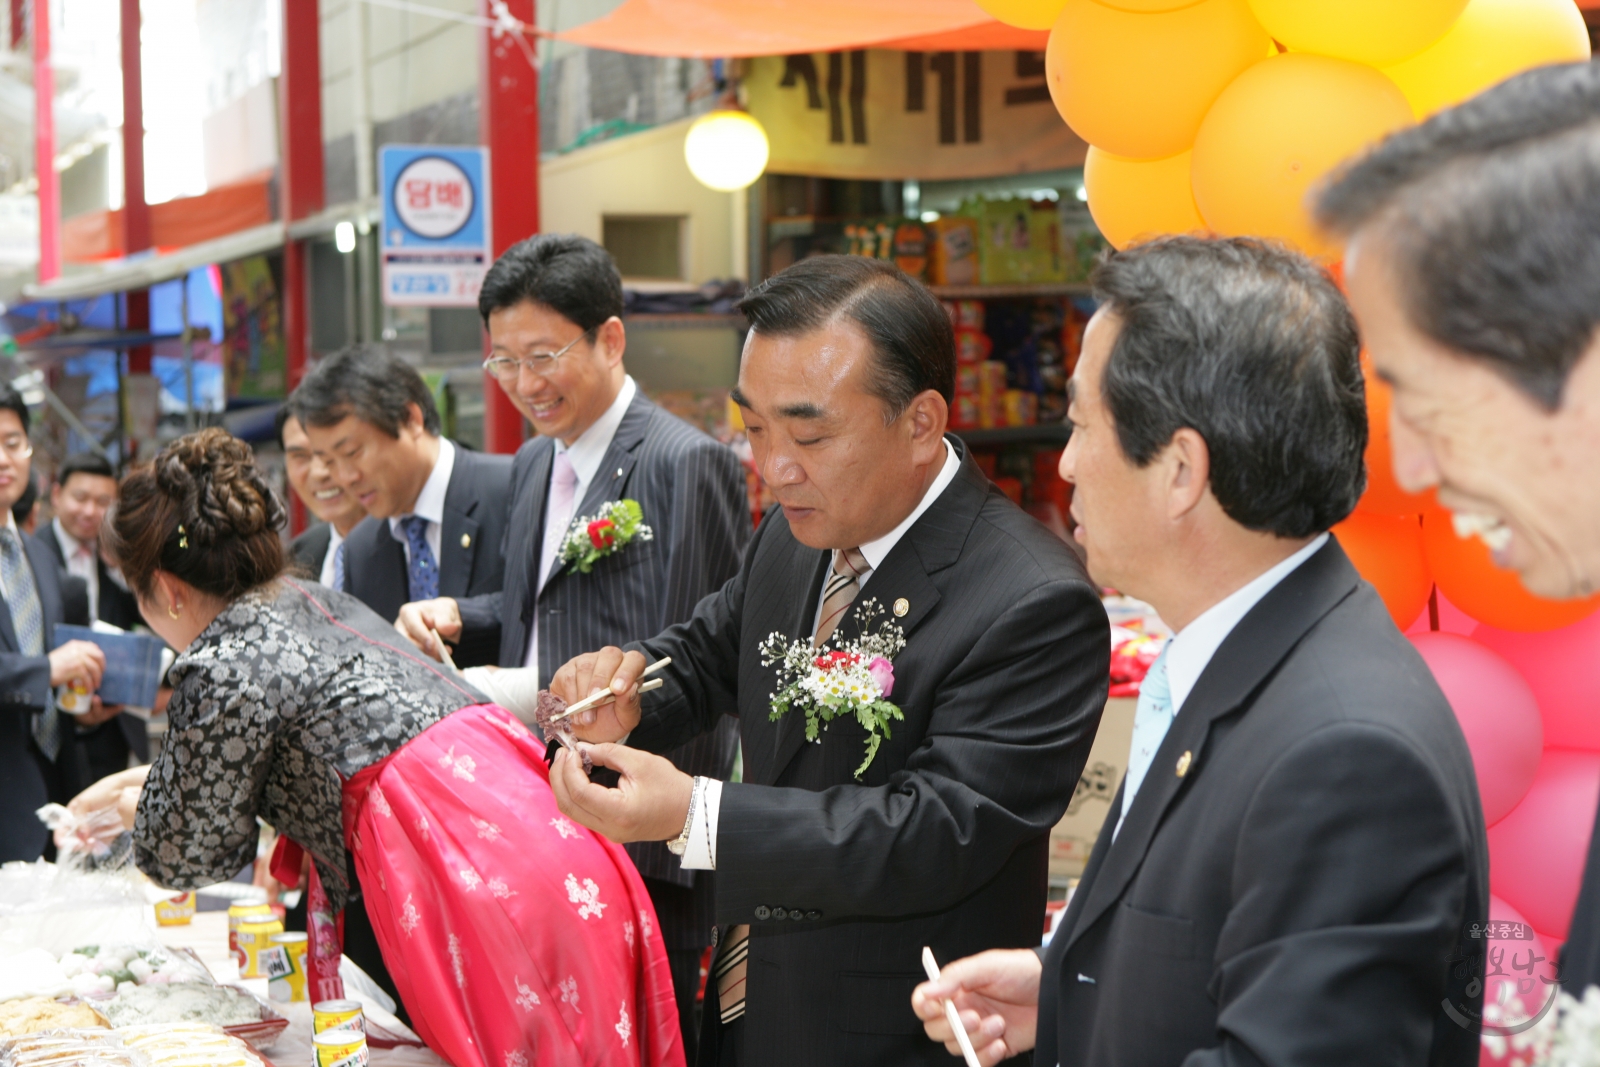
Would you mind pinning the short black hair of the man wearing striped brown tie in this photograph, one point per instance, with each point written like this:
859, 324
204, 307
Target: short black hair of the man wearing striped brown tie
910, 332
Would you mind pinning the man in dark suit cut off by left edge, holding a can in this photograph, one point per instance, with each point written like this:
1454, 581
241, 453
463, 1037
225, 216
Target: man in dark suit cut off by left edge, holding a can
33, 732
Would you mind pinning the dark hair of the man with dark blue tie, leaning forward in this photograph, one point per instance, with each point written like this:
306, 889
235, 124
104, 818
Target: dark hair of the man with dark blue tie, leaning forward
367, 382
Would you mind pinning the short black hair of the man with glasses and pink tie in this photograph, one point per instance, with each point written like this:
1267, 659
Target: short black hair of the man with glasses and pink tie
569, 274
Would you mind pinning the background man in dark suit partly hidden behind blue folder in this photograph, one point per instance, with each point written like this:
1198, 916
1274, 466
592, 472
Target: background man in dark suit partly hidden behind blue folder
86, 490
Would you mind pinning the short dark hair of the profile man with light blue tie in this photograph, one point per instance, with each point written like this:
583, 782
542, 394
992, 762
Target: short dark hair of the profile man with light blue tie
1254, 348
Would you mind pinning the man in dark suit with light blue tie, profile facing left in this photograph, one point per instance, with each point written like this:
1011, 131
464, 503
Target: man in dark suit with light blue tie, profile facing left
1297, 855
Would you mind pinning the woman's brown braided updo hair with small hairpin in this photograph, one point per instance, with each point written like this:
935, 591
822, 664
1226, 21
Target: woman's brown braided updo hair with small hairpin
204, 513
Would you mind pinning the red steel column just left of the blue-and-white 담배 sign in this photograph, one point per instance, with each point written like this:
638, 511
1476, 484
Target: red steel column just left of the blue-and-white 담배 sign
300, 172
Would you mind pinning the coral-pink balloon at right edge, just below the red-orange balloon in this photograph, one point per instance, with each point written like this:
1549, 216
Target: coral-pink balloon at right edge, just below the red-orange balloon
1564, 671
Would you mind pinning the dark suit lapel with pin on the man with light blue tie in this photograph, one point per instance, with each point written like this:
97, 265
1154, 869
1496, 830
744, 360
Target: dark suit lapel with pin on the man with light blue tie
1246, 660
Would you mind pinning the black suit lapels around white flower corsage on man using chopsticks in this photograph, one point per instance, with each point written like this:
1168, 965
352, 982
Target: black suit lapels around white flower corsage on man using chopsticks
932, 545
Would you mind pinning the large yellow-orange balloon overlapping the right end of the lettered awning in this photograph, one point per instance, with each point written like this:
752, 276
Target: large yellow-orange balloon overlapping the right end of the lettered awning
1138, 84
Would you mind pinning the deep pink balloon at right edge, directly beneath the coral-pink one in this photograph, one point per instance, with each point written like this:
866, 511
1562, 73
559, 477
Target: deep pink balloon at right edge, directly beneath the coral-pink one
1537, 853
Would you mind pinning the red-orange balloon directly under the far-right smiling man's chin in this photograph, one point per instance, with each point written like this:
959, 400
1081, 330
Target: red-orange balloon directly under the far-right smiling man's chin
1468, 577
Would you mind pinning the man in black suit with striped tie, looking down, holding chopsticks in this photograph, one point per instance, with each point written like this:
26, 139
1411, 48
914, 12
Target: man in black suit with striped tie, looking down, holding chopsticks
833, 874
